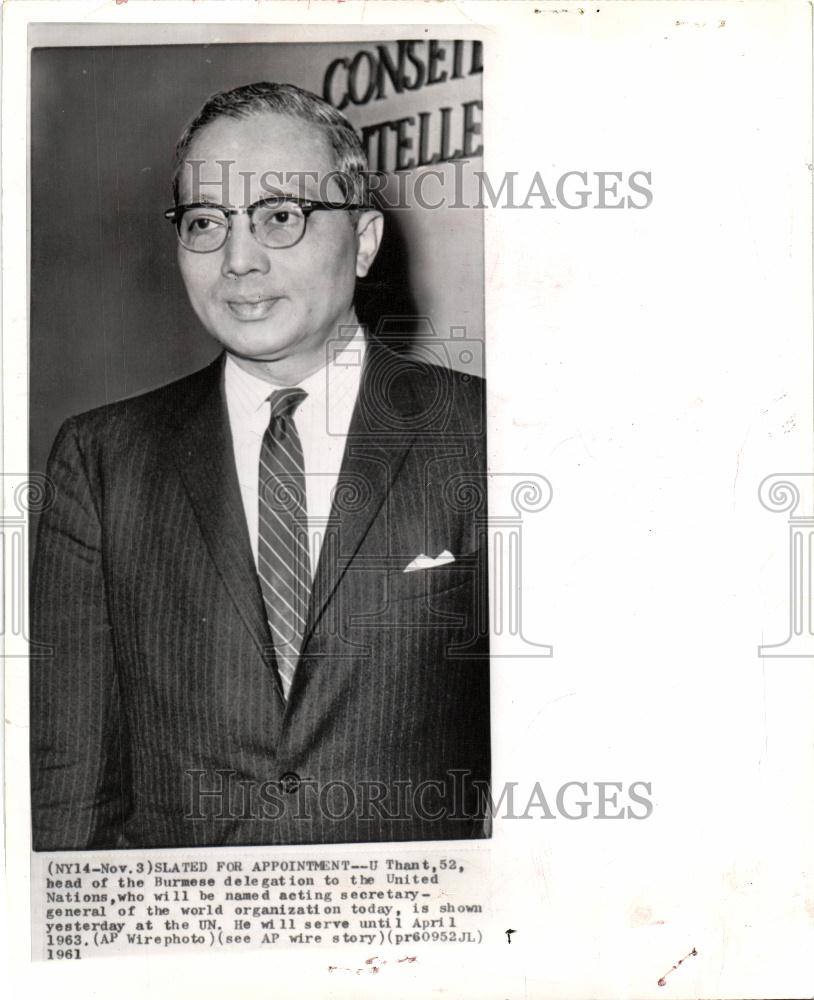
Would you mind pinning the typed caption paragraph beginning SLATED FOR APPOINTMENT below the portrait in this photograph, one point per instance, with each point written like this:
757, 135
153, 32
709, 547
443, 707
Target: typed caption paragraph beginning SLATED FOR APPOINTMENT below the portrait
84, 906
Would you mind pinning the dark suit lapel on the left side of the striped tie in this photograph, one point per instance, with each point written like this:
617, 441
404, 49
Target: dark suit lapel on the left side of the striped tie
205, 458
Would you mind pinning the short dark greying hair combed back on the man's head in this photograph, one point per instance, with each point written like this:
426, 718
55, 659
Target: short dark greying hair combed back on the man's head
285, 99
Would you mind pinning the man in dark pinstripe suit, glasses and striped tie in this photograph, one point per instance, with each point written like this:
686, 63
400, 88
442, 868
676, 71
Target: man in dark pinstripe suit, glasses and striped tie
264, 585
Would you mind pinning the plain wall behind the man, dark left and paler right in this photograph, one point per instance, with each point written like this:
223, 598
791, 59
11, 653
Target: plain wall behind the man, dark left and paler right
109, 316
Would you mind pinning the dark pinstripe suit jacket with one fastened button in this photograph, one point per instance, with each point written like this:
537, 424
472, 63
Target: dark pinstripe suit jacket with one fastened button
160, 721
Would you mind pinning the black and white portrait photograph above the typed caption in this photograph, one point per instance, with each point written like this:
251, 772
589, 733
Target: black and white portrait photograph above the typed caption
262, 585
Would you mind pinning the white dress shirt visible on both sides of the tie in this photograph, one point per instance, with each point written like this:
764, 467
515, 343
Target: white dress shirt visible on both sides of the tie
322, 420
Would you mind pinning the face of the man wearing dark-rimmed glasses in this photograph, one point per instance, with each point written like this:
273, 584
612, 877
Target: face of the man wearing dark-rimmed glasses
267, 304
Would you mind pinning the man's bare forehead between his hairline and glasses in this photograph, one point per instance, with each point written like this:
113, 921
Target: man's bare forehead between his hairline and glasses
266, 150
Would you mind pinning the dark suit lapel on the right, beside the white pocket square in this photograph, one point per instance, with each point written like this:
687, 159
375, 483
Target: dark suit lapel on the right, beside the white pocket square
379, 439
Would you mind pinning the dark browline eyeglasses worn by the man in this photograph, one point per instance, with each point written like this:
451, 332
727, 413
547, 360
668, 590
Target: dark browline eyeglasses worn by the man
277, 223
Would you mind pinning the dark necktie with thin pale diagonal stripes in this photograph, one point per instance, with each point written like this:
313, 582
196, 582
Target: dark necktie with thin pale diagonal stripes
282, 543
